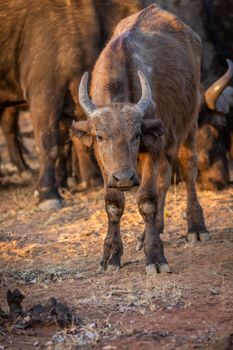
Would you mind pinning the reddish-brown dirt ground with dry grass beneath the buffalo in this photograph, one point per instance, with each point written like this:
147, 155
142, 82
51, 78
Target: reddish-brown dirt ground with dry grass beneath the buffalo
56, 254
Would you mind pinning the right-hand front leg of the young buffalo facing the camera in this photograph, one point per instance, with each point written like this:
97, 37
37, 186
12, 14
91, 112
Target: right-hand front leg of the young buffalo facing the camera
147, 204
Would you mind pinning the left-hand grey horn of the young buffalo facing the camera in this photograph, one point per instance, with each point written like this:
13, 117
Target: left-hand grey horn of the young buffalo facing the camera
85, 102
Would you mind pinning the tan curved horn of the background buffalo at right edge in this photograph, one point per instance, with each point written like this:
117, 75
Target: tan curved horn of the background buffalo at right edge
215, 90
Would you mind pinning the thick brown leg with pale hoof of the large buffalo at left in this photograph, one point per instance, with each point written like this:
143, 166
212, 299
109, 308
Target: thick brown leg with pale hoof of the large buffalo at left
45, 117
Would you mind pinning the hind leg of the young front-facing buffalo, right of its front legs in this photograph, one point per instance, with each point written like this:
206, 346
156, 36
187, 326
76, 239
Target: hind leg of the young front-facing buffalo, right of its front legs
187, 157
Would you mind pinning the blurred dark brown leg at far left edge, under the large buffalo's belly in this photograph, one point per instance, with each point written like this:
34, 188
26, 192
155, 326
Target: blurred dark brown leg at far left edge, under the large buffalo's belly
9, 124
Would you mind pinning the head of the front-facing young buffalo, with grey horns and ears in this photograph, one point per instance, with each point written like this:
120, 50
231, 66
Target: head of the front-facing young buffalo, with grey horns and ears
117, 129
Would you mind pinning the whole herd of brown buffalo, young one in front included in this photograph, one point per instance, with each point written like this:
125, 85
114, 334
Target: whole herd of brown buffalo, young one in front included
145, 108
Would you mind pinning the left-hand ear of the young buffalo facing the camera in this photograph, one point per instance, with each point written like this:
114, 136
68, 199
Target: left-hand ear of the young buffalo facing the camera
83, 131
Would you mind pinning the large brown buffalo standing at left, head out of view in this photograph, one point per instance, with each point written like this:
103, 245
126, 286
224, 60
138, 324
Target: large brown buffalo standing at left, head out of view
45, 47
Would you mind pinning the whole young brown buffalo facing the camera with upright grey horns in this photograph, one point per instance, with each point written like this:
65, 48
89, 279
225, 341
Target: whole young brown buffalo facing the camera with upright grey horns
144, 107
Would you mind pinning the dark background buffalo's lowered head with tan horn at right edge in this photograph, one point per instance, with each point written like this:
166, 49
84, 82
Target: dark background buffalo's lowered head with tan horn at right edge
214, 132
